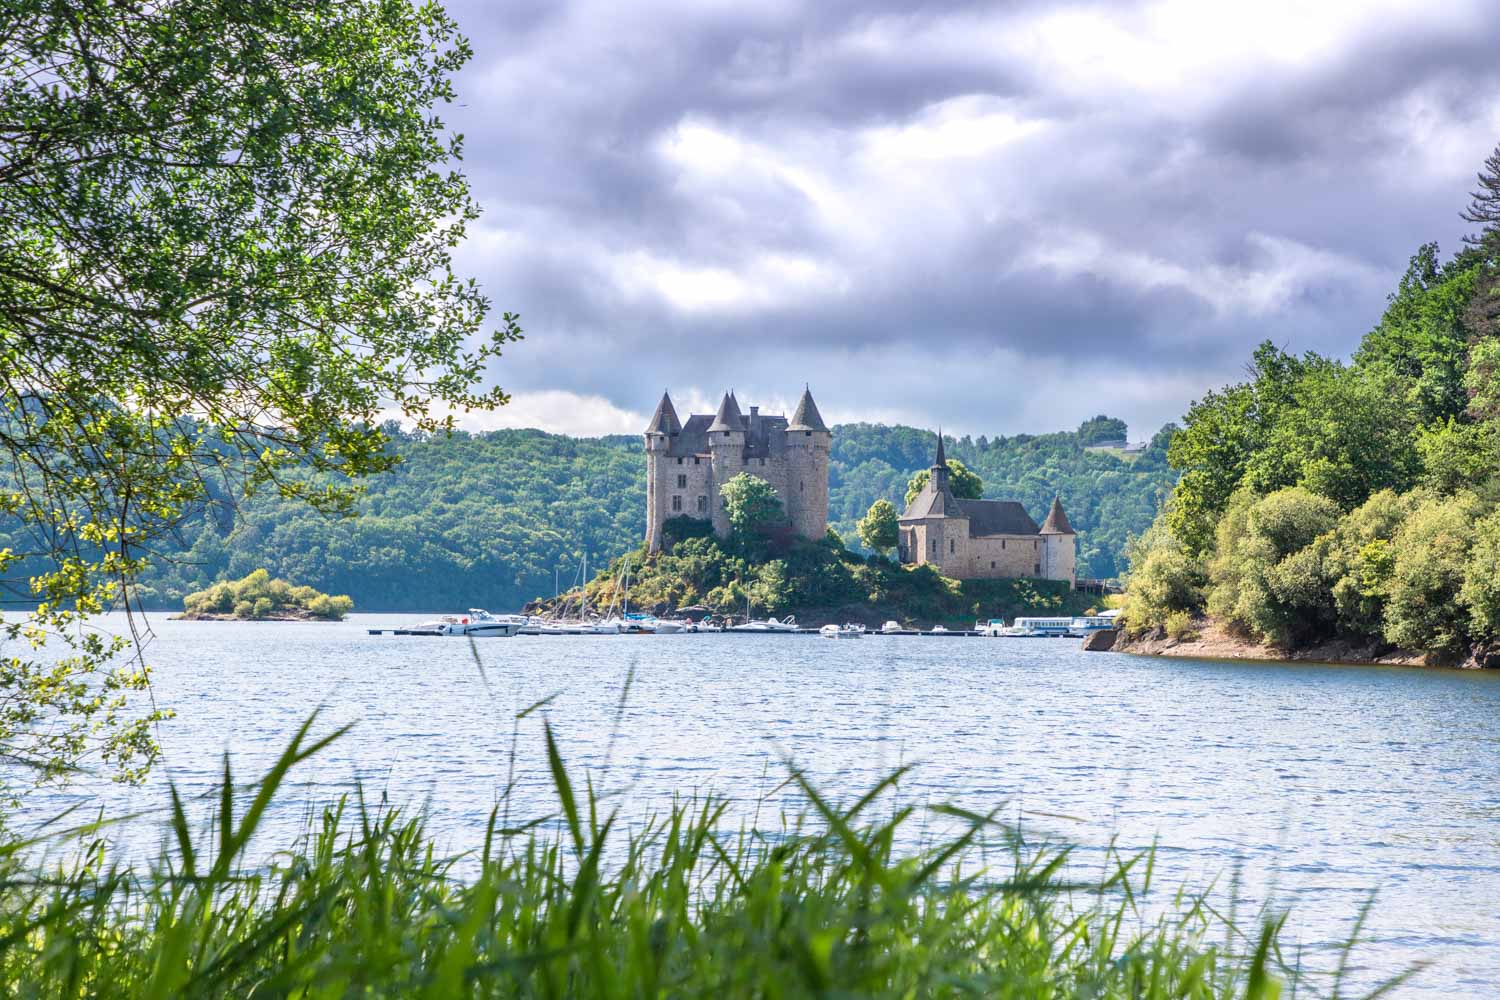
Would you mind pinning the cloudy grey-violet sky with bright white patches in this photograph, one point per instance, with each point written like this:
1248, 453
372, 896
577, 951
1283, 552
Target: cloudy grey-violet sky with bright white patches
997, 218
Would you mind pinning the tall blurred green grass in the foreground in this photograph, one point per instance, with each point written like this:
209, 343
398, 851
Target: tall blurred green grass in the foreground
578, 906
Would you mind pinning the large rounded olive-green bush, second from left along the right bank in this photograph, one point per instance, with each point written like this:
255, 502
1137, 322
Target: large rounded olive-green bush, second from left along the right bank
1265, 576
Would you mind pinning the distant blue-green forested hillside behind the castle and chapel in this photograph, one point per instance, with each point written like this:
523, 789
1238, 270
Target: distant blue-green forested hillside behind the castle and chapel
490, 519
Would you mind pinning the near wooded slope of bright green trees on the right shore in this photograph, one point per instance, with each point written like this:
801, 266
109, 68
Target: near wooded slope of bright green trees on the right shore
1354, 501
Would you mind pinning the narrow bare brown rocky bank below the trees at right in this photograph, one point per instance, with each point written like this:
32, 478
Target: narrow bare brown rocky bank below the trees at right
1211, 641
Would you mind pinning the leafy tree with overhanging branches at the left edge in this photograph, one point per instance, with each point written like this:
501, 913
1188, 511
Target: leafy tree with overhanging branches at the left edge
226, 260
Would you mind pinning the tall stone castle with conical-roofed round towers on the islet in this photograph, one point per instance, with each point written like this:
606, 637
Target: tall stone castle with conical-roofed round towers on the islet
689, 463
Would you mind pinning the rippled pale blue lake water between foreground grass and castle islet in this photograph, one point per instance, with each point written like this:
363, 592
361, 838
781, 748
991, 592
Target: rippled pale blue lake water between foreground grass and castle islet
1319, 783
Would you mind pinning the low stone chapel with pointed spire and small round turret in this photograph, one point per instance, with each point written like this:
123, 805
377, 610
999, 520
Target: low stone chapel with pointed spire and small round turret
970, 540
